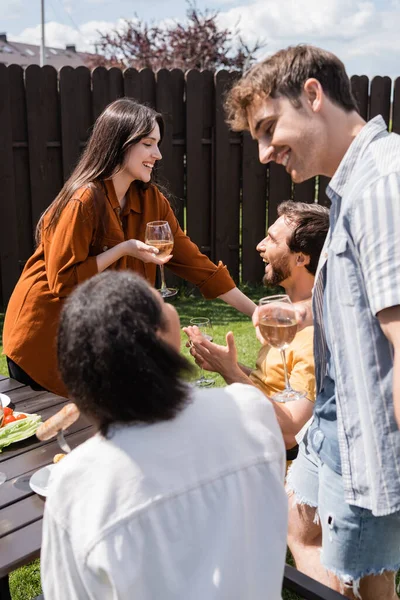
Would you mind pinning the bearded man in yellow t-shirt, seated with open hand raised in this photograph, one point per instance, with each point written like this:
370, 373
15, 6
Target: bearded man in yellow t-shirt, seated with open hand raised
291, 251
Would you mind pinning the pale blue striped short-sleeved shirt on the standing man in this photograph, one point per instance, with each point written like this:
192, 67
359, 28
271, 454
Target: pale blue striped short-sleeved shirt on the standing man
362, 250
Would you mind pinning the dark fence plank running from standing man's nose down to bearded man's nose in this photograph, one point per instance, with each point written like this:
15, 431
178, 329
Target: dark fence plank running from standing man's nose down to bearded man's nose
254, 208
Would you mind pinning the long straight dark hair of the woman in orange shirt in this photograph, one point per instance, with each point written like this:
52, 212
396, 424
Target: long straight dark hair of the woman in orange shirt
123, 123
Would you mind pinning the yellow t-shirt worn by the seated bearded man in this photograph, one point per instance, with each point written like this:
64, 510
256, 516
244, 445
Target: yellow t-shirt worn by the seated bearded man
269, 374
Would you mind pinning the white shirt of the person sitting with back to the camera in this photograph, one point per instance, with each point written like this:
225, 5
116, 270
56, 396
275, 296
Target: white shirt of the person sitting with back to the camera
188, 509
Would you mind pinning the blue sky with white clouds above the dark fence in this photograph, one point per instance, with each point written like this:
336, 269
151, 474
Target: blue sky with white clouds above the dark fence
364, 34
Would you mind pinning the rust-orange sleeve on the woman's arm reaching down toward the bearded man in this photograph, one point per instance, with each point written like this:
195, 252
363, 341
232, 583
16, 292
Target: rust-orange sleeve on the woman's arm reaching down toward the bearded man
190, 264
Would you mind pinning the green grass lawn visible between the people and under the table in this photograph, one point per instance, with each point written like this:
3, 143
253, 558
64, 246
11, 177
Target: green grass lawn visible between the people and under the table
25, 582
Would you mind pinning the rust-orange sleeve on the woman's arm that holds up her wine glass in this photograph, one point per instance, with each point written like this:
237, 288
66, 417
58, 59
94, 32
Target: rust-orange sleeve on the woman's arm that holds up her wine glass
66, 249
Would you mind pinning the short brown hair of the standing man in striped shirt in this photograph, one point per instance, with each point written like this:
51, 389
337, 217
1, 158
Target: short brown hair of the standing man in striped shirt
284, 74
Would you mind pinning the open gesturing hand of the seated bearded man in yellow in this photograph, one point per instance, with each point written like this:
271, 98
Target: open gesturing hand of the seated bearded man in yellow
210, 356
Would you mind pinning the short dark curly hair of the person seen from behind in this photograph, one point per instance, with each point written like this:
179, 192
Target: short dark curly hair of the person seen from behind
113, 364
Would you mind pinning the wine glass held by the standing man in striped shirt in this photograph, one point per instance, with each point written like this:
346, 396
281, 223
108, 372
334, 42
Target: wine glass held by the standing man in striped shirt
278, 327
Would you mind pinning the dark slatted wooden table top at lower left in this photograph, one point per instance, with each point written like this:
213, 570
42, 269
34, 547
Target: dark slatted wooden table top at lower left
21, 510
